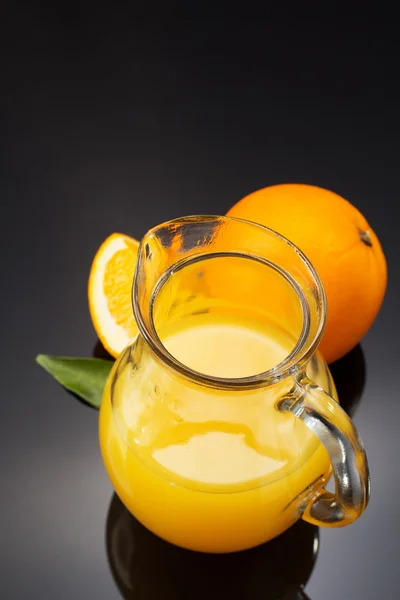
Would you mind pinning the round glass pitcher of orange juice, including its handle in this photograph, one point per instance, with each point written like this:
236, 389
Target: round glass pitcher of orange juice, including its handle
218, 427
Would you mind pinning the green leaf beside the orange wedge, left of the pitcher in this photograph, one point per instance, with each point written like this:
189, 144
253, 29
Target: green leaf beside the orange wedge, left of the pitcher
85, 377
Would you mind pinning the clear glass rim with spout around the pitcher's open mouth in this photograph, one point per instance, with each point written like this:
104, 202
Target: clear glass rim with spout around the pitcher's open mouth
301, 353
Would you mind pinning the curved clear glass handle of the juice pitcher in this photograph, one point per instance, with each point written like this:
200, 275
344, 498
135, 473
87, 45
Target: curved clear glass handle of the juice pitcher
329, 422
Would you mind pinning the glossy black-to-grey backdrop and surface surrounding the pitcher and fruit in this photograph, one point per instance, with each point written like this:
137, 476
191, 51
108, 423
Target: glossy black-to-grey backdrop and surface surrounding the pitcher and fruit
116, 122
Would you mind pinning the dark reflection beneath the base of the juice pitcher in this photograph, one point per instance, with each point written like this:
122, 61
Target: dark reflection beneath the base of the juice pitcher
147, 568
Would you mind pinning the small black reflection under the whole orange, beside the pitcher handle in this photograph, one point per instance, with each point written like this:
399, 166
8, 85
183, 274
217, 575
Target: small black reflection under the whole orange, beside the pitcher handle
349, 374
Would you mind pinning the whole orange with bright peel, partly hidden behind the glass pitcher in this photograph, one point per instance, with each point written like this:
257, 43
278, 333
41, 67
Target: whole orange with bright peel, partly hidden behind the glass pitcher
338, 240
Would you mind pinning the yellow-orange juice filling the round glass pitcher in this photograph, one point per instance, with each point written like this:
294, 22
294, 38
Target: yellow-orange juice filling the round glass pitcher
209, 470
